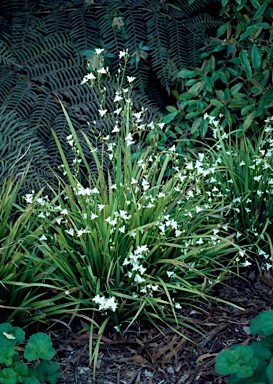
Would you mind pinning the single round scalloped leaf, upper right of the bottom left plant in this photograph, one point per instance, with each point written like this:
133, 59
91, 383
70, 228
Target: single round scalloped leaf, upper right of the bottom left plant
39, 346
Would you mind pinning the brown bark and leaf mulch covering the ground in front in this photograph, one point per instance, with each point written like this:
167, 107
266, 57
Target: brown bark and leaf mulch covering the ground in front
149, 357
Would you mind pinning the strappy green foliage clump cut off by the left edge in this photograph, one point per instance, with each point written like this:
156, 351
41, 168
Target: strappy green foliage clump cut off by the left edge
20, 266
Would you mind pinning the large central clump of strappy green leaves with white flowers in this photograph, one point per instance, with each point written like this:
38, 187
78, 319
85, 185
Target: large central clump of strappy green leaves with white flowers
134, 244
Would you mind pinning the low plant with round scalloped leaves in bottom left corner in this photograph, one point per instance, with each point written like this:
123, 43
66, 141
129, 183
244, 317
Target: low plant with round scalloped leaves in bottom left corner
38, 349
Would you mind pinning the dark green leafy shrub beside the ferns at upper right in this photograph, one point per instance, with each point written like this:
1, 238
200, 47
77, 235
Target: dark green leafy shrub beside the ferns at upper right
234, 82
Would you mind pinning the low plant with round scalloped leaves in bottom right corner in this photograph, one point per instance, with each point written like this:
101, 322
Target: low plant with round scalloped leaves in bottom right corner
250, 363
